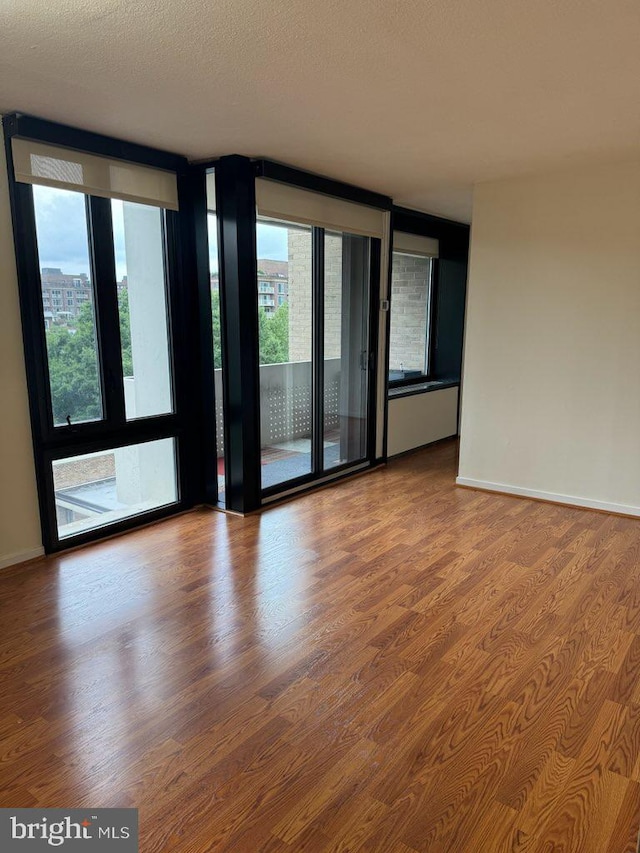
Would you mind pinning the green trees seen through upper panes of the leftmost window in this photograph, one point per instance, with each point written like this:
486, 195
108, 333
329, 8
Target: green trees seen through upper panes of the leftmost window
73, 365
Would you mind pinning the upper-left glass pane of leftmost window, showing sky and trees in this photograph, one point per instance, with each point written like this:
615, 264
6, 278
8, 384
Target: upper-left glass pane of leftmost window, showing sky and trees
68, 302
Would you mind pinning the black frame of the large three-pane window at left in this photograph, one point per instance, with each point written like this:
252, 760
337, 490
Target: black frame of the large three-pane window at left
52, 442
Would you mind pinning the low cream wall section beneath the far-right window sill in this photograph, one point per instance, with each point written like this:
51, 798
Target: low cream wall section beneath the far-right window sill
421, 418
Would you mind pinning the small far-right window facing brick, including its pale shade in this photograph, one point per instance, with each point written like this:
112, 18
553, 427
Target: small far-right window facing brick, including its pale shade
412, 293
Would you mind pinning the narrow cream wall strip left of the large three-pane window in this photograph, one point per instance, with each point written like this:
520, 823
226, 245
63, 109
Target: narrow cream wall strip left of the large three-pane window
20, 536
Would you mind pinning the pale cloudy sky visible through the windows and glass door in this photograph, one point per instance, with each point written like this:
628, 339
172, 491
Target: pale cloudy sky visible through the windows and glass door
63, 243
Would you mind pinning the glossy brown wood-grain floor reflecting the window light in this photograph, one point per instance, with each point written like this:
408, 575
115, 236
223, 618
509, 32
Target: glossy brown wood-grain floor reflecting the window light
393, 664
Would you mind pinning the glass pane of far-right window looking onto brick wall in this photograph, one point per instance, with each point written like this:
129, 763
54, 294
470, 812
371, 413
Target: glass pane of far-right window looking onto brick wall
410, 301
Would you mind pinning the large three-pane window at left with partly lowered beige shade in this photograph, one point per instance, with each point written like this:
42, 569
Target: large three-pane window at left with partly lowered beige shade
98, 241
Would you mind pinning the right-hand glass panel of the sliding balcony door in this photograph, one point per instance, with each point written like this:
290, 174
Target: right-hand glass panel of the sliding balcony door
346, 345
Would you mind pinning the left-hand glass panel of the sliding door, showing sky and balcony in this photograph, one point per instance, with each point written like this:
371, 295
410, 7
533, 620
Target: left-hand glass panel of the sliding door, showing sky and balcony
285, 327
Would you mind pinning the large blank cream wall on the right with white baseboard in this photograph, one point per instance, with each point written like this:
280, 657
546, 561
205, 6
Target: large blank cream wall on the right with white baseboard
551, 383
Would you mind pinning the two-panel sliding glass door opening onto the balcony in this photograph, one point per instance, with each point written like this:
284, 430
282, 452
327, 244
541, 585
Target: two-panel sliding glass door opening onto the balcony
313, 290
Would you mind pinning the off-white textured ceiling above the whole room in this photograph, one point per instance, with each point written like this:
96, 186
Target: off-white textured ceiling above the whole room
418, 99
